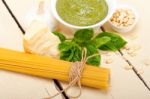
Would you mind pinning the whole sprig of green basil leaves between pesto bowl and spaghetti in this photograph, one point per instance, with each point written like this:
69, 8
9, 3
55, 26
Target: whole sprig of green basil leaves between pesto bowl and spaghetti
72, 50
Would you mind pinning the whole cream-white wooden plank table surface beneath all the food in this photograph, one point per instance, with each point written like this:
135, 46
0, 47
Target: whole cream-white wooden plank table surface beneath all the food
124, 84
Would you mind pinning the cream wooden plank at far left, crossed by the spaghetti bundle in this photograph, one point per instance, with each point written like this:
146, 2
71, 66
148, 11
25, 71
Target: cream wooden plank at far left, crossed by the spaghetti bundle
17, 86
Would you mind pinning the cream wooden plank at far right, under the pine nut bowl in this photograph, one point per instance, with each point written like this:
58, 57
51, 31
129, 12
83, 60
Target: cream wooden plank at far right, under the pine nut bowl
139, 37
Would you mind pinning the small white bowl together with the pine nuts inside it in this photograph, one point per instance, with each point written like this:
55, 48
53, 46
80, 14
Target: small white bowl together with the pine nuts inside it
124, 19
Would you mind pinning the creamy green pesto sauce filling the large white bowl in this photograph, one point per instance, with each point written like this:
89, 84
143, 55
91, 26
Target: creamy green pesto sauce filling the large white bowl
82, 12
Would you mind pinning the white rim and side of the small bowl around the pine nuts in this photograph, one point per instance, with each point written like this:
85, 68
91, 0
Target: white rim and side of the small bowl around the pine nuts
129, 28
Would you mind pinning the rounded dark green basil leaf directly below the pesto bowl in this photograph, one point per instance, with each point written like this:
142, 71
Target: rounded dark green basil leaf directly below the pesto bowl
84, 35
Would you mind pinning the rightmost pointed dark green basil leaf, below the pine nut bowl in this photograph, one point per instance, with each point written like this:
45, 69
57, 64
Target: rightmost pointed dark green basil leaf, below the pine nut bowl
114, 44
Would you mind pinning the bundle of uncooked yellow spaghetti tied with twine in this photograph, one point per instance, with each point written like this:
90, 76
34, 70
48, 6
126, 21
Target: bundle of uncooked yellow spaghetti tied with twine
47, 67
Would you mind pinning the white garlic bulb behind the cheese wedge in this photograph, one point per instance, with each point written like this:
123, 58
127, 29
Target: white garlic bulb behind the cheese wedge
41, 12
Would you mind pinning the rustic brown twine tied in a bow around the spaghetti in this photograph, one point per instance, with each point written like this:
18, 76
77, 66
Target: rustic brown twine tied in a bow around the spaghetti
75, 75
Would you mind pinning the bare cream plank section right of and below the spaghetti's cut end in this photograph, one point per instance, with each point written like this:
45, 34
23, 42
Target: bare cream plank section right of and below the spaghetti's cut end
124, 84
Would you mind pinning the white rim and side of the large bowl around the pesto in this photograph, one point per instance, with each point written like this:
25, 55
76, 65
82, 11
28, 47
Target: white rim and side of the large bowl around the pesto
111, 9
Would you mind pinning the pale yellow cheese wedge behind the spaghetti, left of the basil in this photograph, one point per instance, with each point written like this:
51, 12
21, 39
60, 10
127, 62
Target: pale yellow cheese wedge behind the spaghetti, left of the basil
39, 40
